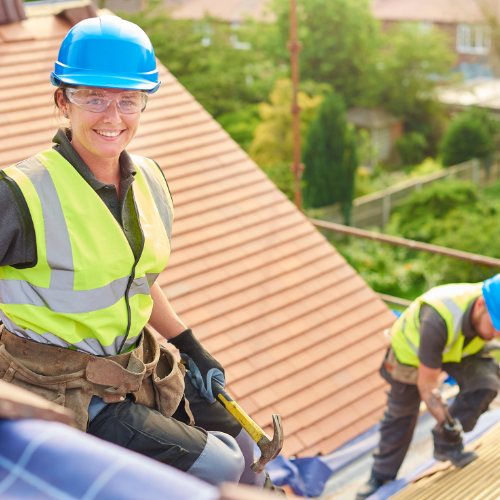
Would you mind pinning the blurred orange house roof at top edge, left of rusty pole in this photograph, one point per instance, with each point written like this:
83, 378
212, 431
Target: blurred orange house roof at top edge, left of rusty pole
229, 10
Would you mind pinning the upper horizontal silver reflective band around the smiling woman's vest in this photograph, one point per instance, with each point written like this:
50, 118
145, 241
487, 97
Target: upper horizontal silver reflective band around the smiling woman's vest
18, 292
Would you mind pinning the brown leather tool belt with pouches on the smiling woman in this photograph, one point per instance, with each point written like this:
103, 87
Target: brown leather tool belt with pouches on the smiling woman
70, 378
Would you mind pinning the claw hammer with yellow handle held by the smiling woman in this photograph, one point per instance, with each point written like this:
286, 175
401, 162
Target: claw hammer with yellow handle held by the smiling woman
269, 448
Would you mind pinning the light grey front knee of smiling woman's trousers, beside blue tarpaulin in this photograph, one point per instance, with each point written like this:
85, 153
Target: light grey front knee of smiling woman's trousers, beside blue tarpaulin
220, 461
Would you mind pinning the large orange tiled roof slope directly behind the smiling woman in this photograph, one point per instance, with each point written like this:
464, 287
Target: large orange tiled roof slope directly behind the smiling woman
298, 331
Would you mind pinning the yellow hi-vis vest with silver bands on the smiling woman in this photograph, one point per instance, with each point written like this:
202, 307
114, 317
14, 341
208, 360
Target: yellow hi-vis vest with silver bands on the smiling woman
87, 290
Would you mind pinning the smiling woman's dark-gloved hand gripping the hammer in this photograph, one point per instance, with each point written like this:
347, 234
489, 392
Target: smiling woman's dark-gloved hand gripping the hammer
202, 367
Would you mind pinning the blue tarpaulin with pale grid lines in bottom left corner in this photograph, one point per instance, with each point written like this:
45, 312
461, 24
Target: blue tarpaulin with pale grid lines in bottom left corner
50, 461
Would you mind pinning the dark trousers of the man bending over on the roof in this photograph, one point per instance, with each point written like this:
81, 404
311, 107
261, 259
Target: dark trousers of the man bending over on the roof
478, 379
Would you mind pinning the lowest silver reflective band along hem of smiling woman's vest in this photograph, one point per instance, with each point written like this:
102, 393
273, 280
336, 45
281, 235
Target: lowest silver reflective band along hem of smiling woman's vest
88, 346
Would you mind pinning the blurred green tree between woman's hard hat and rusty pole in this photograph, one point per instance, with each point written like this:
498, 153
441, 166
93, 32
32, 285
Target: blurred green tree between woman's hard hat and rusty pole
210, 58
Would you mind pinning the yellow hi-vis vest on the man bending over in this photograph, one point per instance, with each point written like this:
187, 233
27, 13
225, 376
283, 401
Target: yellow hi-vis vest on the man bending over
451, 302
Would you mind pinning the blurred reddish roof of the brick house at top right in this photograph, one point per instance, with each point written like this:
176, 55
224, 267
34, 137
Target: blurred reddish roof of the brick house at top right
438, 11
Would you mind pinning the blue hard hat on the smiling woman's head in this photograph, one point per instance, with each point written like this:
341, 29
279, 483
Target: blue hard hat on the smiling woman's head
107, 52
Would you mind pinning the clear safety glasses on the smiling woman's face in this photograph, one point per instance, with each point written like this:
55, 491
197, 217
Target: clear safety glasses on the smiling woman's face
98, 100
